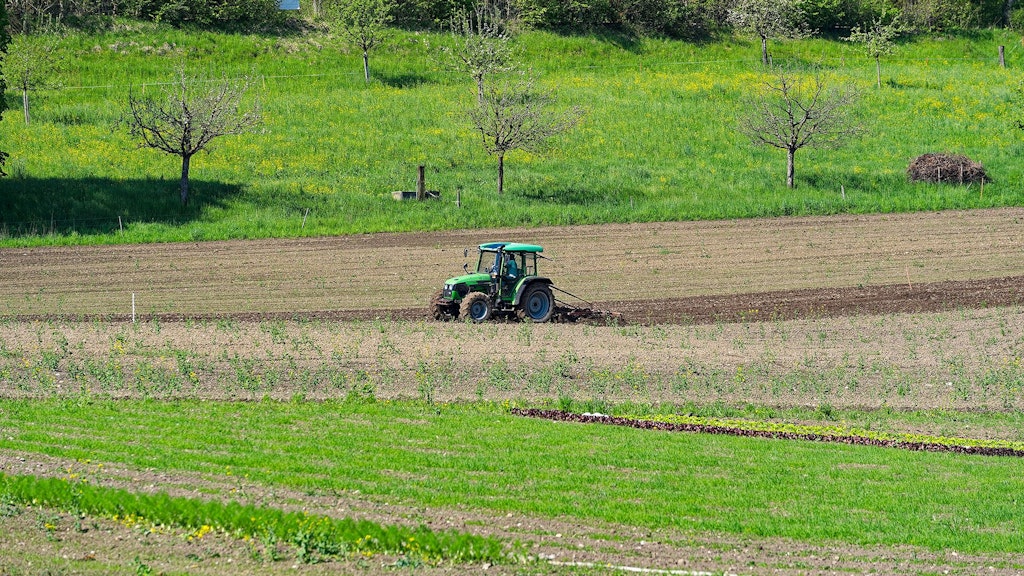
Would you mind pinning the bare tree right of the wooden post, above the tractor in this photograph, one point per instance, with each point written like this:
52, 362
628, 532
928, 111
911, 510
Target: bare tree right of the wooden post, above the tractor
514, 115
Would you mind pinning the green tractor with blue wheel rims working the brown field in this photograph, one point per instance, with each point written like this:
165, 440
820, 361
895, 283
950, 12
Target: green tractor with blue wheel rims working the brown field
504, 284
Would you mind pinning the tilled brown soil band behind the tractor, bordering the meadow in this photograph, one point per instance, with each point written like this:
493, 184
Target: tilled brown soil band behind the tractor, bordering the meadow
662, 273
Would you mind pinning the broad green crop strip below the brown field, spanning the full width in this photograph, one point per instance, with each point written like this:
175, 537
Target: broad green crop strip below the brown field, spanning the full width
480, 458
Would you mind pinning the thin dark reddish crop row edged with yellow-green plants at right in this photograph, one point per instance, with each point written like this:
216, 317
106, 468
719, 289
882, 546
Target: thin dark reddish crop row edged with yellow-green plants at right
782, 435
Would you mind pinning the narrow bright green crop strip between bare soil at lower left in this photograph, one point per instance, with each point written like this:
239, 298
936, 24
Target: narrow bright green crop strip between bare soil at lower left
314, 537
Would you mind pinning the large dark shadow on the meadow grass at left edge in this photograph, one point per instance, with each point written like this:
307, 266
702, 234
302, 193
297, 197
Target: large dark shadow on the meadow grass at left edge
37, 207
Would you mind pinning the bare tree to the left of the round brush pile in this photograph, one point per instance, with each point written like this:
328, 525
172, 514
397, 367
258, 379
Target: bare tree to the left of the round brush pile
791, 114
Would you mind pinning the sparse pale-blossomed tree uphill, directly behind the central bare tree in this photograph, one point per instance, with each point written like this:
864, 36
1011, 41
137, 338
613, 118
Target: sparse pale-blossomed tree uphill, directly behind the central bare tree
483, 42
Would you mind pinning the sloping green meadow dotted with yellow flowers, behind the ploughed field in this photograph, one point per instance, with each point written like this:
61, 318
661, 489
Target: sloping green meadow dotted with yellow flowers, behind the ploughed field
659, 141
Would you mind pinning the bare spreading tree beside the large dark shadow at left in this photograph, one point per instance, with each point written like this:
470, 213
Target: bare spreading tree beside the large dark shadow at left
189, 115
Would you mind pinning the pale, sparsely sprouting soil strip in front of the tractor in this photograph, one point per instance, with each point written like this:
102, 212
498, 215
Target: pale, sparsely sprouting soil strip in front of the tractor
964, 360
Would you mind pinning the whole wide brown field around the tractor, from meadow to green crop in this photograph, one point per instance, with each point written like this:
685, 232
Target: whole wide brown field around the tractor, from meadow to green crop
905, 312
